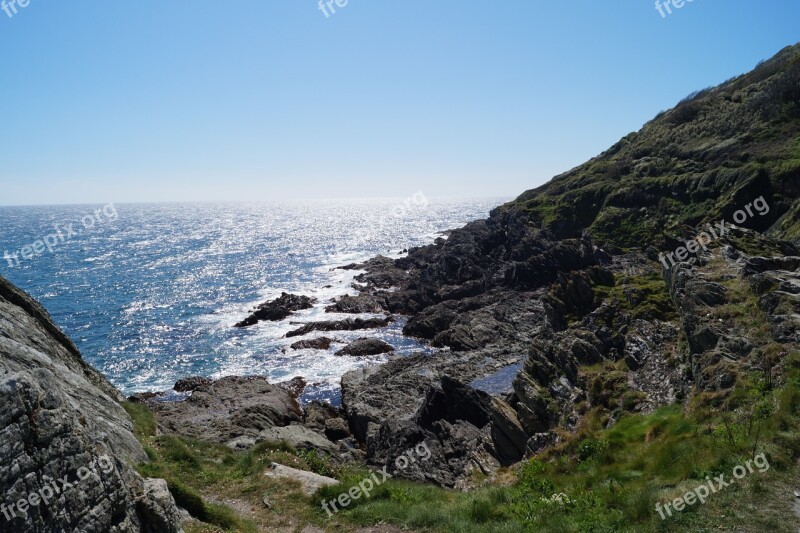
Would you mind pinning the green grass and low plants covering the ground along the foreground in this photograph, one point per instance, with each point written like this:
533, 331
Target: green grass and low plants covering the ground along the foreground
596, 480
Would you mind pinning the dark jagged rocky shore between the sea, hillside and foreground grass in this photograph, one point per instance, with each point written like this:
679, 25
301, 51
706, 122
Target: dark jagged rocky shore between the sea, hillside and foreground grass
518, 317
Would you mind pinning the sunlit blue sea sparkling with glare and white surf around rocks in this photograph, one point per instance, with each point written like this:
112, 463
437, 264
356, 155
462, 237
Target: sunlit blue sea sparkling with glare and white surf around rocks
150, 292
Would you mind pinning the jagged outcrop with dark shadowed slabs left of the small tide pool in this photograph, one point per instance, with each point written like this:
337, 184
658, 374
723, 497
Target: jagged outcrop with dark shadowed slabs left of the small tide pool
465, 428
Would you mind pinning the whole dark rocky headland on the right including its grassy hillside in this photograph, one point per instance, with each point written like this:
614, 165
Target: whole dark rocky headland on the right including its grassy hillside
572, 298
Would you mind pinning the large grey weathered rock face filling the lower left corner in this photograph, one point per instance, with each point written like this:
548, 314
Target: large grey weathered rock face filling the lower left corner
67, 445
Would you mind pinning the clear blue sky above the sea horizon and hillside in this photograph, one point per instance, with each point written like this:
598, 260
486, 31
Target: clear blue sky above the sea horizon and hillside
260, 100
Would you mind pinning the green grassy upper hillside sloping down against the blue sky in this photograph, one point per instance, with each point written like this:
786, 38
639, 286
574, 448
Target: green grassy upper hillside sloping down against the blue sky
716, 151
